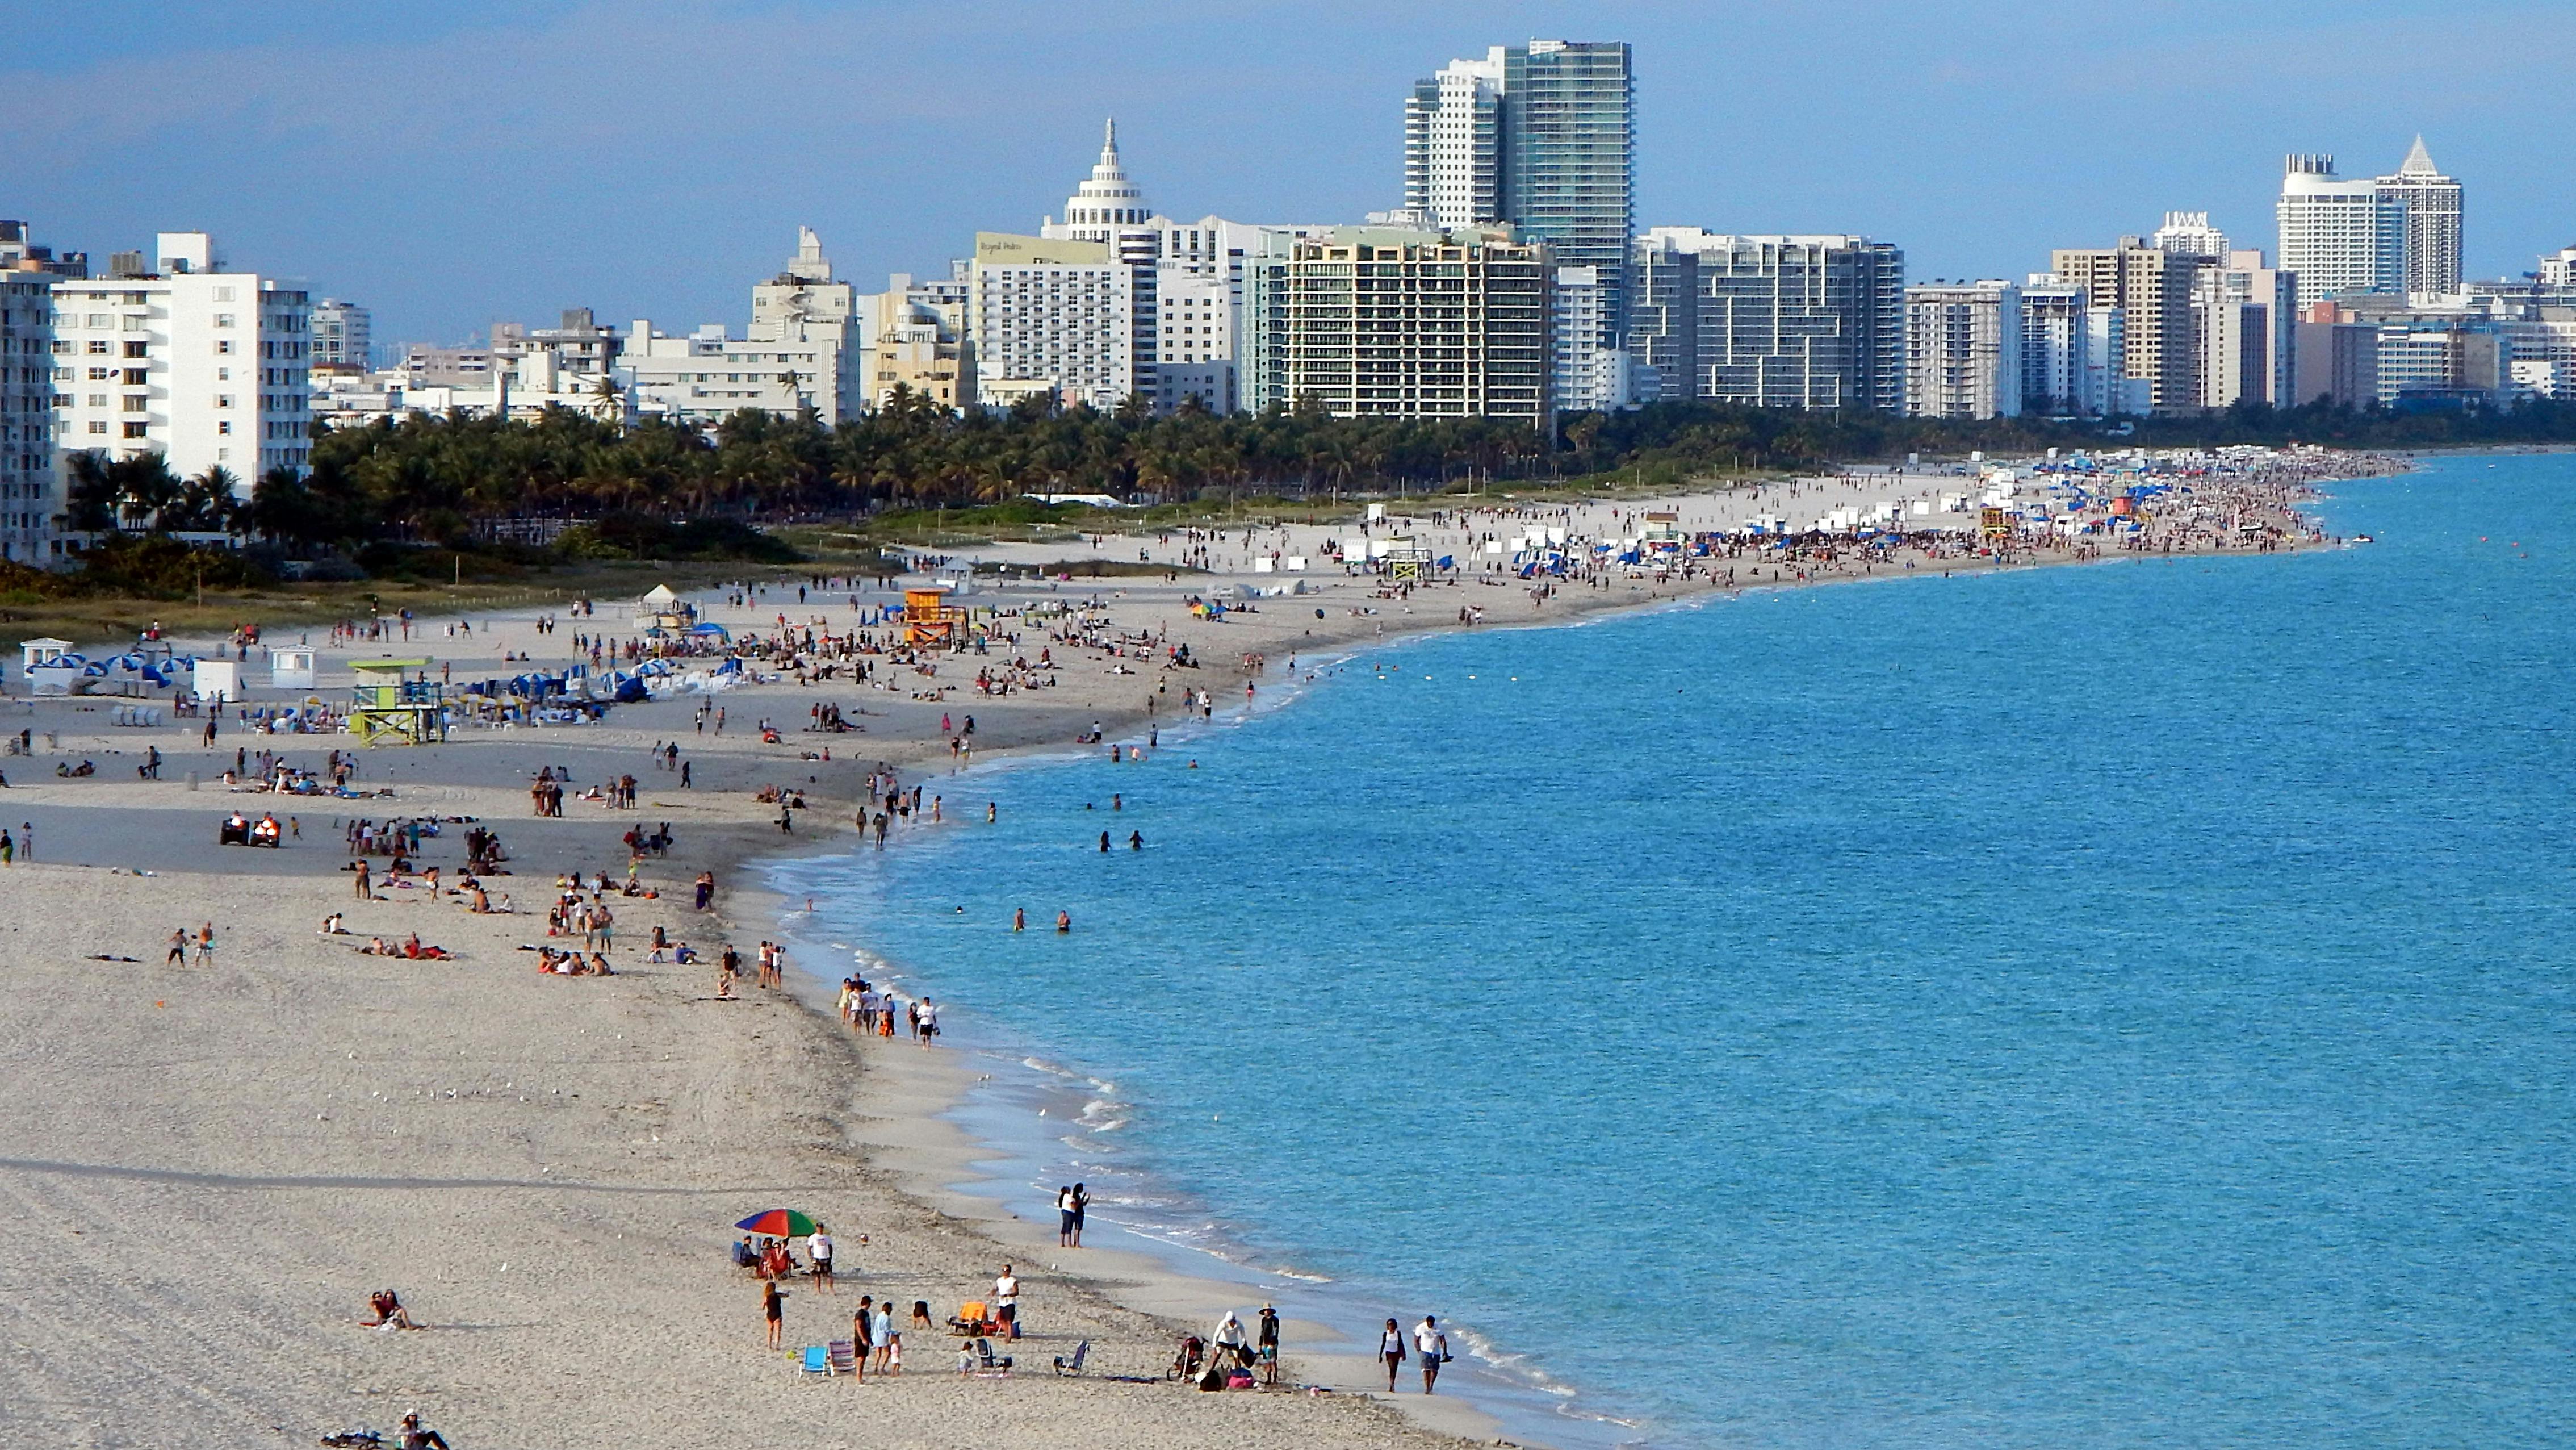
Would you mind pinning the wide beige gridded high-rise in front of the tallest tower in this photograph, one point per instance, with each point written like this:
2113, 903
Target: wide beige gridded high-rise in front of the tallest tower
1392, 323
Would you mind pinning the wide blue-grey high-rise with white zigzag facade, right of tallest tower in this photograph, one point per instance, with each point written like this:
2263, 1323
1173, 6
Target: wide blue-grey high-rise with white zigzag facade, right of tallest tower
1771, 321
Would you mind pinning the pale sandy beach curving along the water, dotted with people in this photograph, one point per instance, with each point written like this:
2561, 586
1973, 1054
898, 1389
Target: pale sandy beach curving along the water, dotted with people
210, 1165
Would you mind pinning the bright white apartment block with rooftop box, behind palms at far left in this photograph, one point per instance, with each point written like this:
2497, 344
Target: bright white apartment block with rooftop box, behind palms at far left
189, 362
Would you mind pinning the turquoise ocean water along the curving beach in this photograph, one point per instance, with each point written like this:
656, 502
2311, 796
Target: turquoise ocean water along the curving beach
2116, 1006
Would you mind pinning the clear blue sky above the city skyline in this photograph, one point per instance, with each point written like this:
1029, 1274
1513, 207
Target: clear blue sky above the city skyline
653, 158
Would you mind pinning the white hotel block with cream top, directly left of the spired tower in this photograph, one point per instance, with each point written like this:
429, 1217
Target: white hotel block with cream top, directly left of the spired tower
1057, 318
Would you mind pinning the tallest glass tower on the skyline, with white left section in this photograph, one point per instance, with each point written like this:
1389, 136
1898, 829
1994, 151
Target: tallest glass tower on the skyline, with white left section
1542, 138
